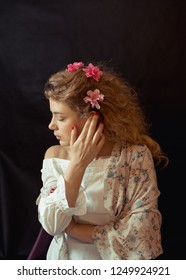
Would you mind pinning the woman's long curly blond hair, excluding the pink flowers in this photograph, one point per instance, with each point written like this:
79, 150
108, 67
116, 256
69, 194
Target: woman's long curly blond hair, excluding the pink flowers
121, 112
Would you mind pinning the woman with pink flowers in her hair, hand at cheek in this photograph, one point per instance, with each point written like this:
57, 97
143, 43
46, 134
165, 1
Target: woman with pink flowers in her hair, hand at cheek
99, 197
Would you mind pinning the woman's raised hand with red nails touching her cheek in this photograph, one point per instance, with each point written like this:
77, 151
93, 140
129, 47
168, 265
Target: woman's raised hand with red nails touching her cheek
85, 148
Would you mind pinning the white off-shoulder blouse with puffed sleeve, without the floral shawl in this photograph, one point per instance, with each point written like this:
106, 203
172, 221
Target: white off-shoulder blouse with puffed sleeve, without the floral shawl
53, 207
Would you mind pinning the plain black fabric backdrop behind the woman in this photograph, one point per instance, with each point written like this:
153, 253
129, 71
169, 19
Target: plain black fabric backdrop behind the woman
144, 40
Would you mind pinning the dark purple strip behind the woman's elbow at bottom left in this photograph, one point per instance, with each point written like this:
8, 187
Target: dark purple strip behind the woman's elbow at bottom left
40, 248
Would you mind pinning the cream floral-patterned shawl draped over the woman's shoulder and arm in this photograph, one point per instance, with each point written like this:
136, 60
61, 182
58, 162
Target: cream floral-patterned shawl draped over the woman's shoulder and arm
131, 196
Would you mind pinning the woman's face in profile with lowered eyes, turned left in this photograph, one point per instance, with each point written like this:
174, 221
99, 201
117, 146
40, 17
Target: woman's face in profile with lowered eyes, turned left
63, 119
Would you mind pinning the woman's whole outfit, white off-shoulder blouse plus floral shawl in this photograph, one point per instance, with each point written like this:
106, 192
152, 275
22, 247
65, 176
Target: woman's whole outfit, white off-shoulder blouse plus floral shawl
119, 194
